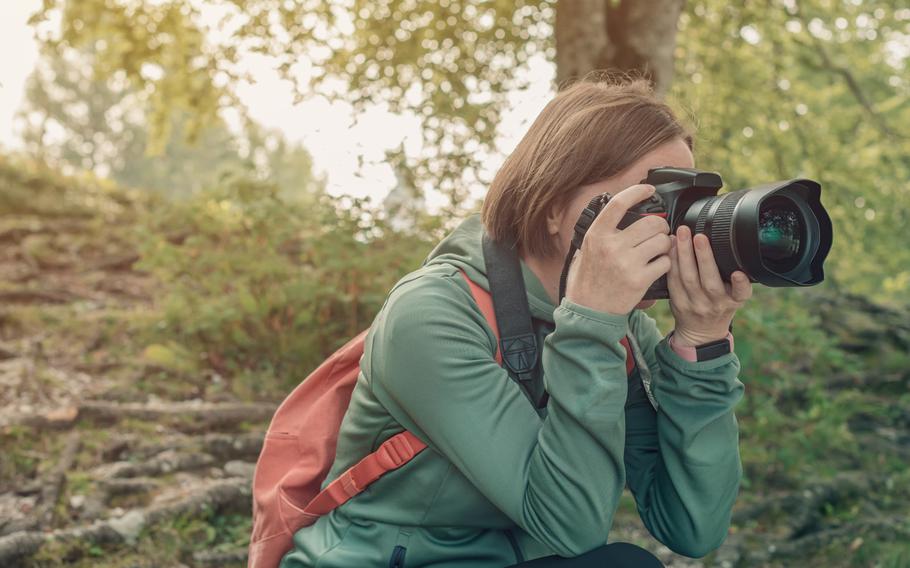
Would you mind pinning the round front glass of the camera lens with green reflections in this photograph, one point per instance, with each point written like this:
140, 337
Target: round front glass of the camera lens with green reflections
780, 233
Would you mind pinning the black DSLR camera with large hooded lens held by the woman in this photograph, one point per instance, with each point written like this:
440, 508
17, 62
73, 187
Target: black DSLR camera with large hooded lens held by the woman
778, 233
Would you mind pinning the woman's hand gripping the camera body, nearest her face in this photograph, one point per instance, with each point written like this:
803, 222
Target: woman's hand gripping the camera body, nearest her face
615, 267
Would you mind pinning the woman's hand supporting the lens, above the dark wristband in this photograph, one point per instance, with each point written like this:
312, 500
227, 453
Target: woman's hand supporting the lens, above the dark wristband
702, 303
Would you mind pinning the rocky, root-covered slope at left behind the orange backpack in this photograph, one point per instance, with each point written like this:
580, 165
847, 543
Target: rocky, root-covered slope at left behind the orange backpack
107, 458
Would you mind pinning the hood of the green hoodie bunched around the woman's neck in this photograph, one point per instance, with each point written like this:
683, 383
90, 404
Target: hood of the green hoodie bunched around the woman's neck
463, 248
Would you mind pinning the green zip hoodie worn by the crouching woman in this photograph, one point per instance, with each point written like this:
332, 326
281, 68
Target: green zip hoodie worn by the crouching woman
498, 484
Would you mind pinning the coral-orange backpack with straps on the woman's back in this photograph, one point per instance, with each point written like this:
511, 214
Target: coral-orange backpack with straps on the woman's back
299, 450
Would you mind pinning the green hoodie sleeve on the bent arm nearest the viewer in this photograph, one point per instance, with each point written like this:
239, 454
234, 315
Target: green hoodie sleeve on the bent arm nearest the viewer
559, 478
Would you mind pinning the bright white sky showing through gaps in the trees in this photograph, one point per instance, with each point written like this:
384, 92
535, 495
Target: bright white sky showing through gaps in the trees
327, 130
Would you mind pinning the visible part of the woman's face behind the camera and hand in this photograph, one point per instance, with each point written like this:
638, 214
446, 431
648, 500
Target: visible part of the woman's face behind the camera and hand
675, 153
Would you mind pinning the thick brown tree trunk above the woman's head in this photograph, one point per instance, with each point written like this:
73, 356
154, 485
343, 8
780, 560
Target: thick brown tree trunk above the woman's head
624, 35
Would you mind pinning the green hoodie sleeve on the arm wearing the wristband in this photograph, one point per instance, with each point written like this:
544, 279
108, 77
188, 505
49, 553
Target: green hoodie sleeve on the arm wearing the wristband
682, 461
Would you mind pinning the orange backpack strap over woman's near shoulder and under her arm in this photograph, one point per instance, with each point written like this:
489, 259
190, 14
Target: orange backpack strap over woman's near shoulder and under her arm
397, 450
